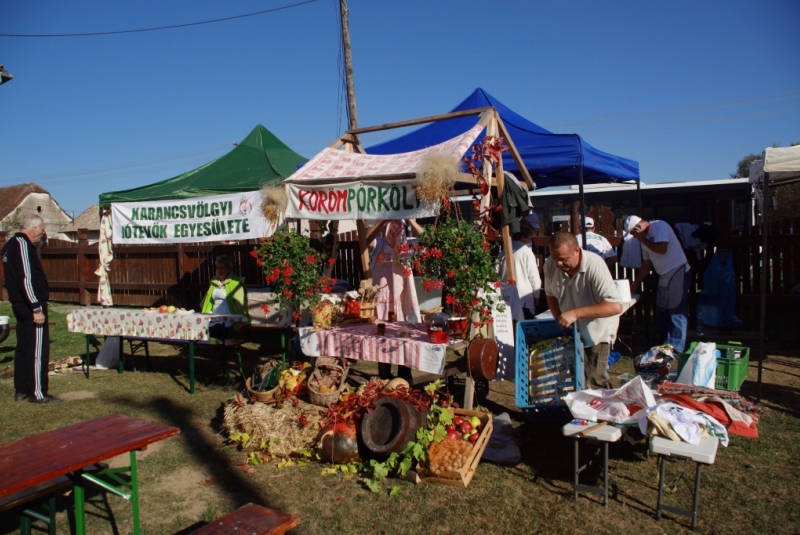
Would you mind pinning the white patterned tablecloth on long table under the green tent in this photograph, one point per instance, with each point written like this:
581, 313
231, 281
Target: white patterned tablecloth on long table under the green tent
145, 323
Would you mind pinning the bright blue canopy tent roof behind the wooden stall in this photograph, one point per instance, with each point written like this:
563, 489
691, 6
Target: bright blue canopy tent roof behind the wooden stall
551, 159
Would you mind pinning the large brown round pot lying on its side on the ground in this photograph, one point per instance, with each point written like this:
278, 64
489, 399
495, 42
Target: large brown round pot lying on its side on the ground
390, 426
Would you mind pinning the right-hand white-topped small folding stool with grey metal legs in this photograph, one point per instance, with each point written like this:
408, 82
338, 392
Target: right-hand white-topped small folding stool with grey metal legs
703, 453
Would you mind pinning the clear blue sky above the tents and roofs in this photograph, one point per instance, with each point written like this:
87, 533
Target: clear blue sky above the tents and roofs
684, 87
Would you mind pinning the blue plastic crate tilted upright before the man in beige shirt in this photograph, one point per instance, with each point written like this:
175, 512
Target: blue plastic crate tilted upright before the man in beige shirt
528, 333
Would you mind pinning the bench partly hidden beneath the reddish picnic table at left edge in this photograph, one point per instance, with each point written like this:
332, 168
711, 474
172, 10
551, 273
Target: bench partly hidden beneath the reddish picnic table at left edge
41, 496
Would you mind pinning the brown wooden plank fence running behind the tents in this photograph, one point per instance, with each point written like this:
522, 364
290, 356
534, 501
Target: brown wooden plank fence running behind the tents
178, 274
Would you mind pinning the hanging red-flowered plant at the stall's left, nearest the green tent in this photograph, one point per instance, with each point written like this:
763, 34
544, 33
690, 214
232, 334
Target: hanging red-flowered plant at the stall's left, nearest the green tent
293, 269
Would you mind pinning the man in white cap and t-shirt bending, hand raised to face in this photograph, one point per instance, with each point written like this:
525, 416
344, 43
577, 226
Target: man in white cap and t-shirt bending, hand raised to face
662, 252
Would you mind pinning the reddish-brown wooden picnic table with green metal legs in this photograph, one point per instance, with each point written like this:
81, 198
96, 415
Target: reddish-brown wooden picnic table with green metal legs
66, 451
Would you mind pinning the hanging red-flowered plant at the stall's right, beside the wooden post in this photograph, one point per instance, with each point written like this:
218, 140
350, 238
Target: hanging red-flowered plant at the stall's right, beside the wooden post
455, 255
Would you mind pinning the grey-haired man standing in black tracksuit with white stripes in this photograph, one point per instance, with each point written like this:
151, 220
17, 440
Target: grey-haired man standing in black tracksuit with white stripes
28, 292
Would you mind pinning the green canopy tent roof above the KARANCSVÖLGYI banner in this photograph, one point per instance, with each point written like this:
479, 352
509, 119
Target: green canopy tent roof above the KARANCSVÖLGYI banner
261, 159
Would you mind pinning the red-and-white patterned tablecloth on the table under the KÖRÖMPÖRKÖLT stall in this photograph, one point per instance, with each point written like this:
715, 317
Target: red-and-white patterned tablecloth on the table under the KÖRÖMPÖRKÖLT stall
403, 344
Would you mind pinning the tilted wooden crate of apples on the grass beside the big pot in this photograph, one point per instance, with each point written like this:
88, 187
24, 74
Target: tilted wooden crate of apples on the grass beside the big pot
453, 460
